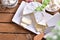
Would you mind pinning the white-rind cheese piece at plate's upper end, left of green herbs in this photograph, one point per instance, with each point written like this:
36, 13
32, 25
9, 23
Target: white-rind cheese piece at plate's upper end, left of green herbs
30, 7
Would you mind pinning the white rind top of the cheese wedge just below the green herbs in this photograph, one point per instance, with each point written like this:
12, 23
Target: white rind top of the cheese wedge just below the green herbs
40, 19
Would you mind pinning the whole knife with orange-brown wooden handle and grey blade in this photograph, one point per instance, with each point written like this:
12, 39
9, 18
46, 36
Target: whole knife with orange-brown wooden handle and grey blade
41, 35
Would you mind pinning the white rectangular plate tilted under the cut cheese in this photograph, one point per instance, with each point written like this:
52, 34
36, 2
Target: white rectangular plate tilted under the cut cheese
18, 15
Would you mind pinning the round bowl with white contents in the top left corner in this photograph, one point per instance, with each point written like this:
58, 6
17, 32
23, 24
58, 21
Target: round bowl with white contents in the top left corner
10, 3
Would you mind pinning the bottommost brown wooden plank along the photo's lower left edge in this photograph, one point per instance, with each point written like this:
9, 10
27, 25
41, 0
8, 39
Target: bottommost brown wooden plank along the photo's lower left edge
15, 37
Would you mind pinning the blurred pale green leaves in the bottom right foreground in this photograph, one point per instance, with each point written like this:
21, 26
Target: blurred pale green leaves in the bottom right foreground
56, 33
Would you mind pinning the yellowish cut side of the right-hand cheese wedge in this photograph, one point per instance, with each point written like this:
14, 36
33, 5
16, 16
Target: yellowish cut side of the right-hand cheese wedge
38, 27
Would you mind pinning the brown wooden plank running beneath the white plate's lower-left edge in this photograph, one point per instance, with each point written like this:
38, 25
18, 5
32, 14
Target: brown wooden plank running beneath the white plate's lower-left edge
10, 27
